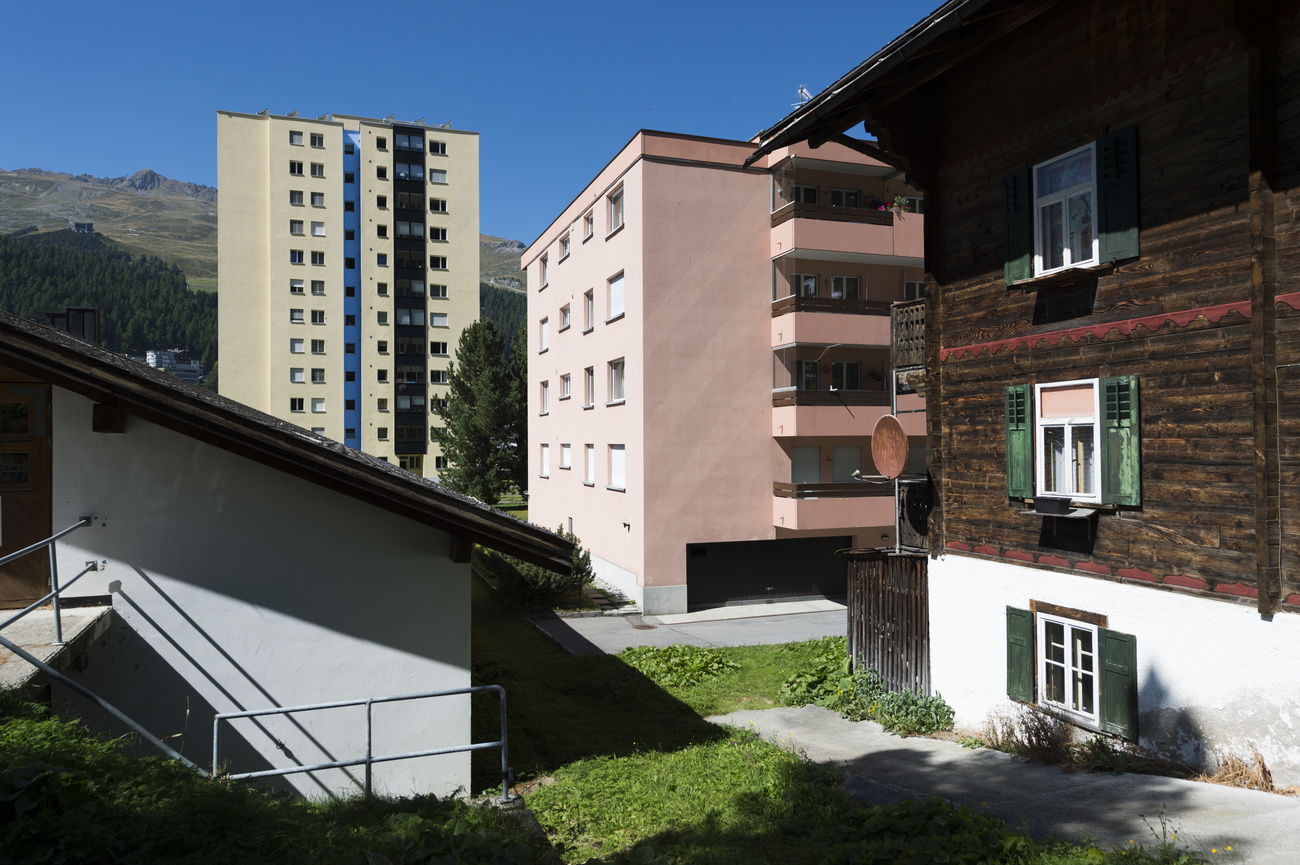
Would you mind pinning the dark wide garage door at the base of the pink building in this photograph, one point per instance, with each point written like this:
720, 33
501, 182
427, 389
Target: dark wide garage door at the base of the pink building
761, 572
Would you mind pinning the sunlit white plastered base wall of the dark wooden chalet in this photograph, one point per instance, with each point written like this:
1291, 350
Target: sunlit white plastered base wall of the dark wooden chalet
1211, 674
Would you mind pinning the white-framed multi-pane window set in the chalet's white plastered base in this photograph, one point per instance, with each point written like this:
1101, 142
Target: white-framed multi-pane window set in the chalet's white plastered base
1069, 673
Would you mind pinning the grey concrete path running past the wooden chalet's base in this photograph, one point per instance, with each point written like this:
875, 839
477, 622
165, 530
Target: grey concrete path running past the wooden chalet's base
1262, 829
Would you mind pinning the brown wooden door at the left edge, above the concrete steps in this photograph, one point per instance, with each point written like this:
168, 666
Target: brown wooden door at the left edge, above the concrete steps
25, 488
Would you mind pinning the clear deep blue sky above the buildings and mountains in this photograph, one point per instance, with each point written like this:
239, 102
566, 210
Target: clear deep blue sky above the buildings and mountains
554, 90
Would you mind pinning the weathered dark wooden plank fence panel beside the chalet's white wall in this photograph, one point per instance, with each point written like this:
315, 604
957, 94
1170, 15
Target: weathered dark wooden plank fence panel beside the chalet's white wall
890, 619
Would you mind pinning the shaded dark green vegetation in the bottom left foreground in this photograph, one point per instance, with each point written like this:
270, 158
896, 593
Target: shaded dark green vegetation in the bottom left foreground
70, 797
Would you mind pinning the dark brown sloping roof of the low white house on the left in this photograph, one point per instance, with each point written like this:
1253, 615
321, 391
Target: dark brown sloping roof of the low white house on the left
161, 399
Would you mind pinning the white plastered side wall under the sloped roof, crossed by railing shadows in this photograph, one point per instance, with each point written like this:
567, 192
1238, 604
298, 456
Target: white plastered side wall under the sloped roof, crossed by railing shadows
240, 587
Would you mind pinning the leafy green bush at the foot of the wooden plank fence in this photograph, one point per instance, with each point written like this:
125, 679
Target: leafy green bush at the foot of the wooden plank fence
833, 684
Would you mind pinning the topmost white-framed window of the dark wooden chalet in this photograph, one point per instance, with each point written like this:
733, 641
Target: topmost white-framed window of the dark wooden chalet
1065, 191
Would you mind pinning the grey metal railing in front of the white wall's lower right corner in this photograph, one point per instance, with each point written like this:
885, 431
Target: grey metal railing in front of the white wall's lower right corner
370, 759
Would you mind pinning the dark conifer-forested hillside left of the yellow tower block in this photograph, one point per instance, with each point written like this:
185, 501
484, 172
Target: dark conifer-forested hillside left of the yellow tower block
144, 302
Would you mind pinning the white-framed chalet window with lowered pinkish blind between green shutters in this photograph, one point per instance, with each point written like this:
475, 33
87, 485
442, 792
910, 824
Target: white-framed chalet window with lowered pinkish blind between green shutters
1067, 430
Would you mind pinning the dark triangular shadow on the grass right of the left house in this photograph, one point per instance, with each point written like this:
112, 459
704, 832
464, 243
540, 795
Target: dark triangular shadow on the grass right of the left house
564, 708
